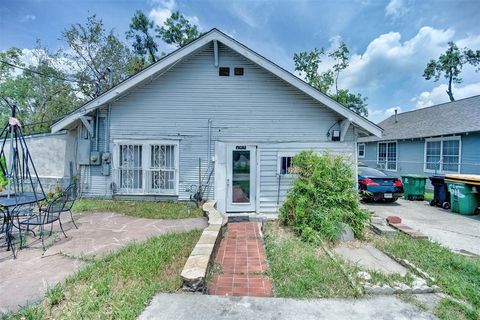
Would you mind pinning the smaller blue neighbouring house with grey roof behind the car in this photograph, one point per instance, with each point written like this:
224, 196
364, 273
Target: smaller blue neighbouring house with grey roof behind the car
440, 139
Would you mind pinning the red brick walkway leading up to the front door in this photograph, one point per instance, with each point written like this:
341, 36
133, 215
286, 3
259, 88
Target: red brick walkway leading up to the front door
242, 258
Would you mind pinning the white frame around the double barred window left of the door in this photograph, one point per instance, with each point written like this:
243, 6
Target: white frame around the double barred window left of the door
146, 154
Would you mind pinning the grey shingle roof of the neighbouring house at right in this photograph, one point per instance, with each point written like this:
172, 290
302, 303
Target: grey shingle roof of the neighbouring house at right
455, 117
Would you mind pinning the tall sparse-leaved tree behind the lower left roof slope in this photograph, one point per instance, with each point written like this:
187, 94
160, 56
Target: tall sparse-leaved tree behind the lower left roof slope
96, 56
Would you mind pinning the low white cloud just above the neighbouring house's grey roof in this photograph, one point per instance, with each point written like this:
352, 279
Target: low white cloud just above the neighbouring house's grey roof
438, 94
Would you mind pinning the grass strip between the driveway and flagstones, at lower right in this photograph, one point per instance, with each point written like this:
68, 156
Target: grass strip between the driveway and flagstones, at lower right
456, 275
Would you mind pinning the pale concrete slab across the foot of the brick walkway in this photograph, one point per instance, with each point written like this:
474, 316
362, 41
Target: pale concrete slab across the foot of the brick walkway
199, 307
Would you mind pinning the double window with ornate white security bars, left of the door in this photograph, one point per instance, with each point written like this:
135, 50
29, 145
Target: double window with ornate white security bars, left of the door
148, 168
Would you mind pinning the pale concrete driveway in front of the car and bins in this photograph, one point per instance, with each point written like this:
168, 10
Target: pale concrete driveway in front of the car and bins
457, 232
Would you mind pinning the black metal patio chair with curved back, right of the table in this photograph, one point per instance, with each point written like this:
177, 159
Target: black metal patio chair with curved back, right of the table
41, 217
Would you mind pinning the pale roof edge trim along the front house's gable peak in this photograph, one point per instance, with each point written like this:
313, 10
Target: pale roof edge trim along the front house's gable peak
167, 62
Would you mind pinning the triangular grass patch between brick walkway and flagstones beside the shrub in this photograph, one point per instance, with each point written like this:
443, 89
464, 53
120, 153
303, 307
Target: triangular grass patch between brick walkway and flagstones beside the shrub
299, 270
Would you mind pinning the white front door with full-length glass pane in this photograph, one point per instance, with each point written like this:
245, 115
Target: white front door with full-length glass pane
241, 173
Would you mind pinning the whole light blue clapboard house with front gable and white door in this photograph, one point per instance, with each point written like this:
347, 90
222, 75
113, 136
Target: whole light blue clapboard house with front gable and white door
213, 116
